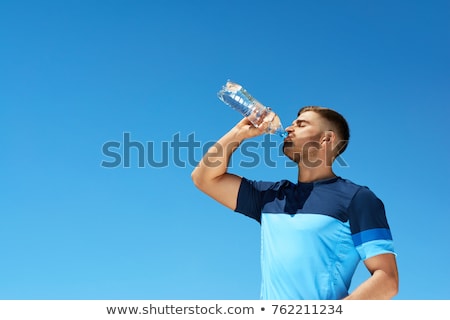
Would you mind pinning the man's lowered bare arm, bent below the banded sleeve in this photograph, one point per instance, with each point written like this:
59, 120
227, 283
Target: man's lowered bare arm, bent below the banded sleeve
383, 283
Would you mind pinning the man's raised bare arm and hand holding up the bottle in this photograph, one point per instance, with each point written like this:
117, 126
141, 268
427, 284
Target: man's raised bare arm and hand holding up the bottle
211, 175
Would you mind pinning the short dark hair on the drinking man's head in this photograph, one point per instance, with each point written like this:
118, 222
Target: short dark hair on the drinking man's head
342, 128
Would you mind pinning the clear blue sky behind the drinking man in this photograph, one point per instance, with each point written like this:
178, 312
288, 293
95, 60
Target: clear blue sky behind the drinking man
75, 75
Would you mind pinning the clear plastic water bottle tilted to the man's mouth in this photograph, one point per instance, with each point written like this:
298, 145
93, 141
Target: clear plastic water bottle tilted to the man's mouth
239, 99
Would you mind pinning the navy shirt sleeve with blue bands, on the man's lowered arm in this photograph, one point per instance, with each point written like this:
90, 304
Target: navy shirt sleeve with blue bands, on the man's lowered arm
368, 224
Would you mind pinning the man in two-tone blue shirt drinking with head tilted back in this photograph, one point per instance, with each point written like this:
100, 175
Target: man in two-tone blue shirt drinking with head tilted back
313, 232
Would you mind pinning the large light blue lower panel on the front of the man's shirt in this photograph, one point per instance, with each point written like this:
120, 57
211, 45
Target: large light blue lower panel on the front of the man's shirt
290, 240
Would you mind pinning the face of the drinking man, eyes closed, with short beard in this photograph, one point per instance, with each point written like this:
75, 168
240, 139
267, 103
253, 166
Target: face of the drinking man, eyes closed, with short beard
304, 137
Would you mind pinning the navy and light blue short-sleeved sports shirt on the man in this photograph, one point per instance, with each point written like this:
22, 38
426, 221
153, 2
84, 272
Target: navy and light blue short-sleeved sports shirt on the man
313, 235
